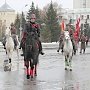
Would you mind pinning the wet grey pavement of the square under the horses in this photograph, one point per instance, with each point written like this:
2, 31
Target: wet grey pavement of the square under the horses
51, 74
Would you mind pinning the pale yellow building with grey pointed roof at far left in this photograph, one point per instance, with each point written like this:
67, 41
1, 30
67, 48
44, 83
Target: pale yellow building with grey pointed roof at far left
7, 16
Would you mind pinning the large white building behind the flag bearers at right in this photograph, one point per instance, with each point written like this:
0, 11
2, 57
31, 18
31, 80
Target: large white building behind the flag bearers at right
80, 11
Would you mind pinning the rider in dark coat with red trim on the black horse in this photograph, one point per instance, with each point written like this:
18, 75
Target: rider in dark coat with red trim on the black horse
32, 26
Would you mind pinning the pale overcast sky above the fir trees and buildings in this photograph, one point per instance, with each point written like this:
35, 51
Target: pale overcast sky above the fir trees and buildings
19, 5
